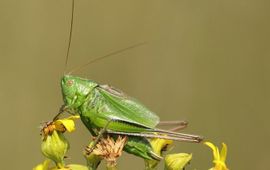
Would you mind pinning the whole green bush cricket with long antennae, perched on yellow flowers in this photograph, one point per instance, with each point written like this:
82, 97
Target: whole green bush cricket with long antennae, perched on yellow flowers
105, 109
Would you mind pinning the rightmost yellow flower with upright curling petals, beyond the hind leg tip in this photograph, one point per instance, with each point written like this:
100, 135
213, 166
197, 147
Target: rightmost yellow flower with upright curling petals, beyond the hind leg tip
219, 157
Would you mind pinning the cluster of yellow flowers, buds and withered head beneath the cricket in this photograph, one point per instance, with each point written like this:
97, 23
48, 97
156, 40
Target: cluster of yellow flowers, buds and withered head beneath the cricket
54, 147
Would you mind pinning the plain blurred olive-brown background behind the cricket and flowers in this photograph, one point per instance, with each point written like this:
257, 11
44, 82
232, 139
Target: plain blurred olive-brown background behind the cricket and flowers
205, 61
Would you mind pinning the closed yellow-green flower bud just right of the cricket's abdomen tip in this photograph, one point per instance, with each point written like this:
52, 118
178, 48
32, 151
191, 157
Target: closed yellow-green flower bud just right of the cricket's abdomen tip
177, 161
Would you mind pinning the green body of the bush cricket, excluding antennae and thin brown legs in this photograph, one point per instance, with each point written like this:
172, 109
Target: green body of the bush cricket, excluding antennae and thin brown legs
99, 104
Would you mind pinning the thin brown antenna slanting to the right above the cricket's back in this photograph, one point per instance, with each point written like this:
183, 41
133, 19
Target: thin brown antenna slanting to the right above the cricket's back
106, 56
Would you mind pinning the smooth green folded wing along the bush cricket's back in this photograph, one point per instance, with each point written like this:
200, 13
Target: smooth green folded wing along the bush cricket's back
125, 109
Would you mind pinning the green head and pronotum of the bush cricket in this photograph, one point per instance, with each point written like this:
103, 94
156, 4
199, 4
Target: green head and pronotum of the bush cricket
75, 90
